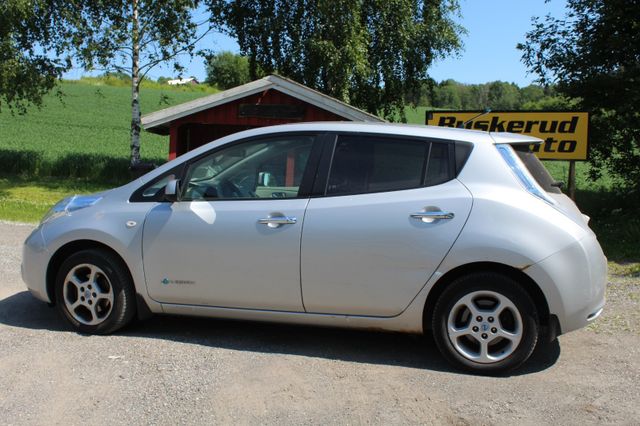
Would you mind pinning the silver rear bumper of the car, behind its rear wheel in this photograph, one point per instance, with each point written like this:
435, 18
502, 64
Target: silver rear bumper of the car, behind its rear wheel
573, 281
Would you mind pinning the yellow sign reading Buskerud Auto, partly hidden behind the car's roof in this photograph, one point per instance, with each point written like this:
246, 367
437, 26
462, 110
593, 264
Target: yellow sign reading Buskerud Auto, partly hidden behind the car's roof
565, 134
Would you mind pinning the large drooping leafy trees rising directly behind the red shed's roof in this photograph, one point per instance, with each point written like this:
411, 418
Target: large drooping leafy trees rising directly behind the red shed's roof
373, 54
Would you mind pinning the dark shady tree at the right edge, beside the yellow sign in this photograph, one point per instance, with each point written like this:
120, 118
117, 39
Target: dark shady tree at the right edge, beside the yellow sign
592, 55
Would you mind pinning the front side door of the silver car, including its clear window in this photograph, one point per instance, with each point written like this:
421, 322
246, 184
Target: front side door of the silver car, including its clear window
233, 238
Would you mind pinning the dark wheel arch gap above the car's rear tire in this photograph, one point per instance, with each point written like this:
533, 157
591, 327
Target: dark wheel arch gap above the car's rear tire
529, 285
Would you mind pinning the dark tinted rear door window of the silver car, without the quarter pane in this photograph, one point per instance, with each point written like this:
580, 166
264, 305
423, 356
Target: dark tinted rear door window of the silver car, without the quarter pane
363, 164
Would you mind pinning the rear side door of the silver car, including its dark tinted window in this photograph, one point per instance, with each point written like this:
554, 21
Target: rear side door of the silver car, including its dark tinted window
391, 211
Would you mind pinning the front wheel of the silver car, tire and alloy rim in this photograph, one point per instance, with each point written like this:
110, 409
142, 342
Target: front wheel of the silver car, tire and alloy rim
94, 292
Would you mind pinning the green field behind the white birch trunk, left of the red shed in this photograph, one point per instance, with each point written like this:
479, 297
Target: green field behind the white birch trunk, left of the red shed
90, 123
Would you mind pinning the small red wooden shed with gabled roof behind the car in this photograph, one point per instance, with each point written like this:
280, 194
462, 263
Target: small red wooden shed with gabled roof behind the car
265, 102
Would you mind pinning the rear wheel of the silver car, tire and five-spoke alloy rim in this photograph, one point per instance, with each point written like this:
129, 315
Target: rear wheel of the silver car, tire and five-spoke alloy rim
475, 333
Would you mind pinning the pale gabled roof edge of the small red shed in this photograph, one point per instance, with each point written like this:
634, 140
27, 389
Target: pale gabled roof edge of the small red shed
158, 122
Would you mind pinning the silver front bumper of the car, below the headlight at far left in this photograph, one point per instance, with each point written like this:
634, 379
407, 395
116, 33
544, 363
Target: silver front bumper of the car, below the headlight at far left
35, 259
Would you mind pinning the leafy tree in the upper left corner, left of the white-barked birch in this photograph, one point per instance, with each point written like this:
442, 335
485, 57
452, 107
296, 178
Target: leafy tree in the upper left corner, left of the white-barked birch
33, 42
